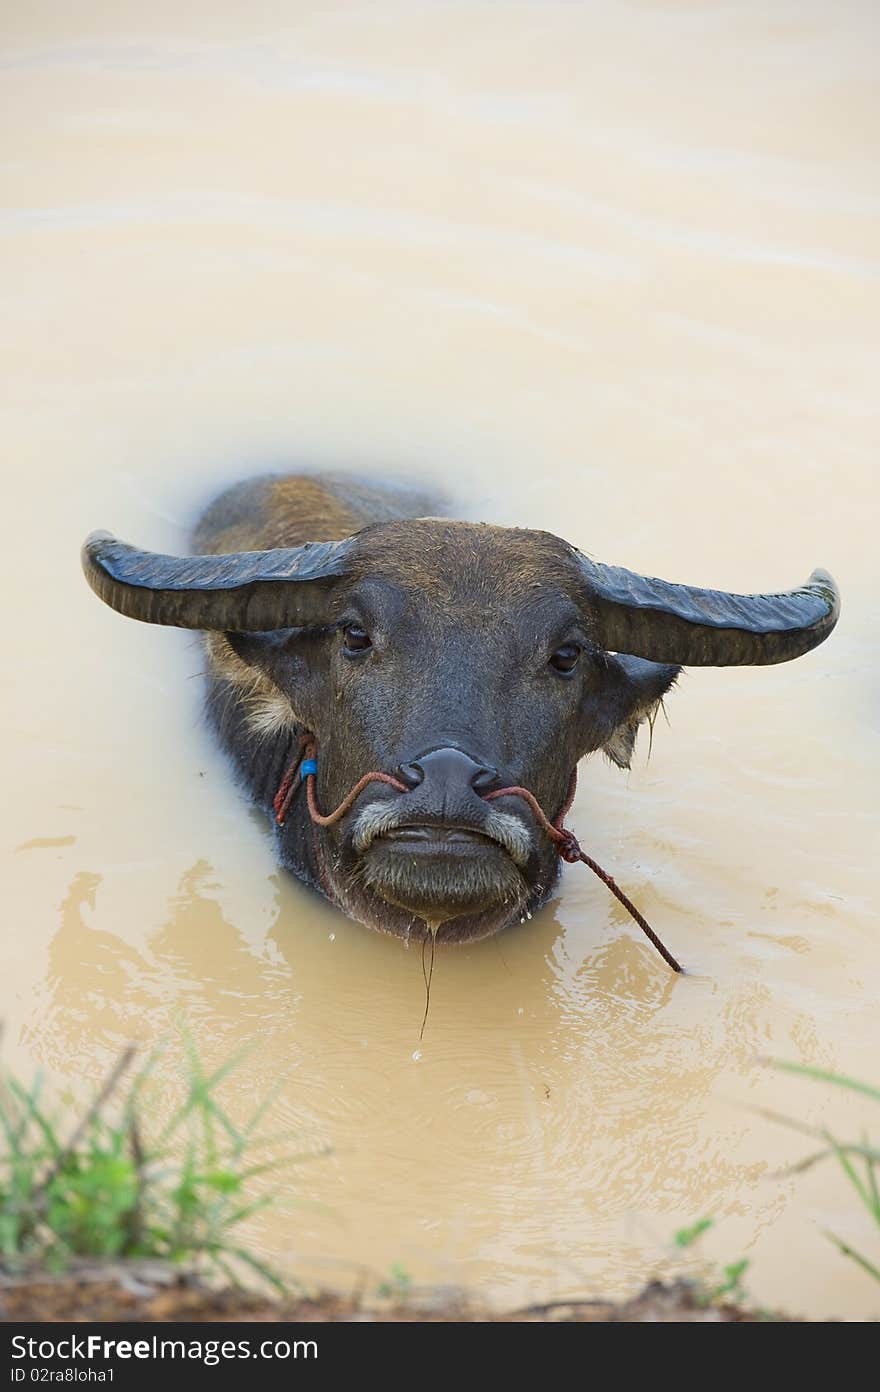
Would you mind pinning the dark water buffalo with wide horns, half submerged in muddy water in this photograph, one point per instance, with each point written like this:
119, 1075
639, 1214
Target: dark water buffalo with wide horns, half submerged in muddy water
455, 658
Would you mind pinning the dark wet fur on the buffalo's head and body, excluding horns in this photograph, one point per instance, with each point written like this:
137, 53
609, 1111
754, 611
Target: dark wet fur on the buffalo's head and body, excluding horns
464, 619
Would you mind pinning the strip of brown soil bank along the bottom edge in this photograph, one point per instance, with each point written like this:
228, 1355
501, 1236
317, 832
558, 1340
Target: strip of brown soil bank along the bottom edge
150, 1292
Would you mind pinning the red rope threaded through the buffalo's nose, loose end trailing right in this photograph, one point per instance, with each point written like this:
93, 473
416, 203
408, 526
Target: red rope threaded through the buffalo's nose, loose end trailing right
567, 844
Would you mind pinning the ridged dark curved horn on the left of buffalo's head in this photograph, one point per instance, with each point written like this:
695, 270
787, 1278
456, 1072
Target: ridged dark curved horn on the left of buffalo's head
243, 592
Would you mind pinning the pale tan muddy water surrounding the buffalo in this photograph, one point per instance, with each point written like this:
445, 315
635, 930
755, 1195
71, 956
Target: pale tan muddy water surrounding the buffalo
609, 269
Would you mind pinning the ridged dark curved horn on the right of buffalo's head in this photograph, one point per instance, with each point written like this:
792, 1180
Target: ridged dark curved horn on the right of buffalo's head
707, 628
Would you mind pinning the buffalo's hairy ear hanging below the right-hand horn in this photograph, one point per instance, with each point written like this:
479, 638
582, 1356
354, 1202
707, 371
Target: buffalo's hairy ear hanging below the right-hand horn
630, 693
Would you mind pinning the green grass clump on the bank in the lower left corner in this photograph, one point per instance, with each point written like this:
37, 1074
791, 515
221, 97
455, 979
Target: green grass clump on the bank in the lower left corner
98, 1188
